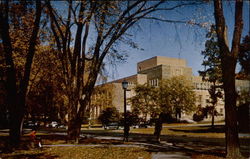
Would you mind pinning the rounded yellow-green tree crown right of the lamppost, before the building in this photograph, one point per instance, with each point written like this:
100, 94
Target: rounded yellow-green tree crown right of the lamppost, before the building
176, 96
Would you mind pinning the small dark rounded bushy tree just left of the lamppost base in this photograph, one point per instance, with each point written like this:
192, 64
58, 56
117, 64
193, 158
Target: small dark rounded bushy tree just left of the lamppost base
109, 115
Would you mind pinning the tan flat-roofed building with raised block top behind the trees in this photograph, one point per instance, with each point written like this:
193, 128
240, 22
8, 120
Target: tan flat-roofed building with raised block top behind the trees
157, 68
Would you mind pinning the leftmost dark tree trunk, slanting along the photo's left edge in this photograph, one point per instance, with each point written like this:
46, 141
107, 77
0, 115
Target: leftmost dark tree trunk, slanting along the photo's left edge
11, 86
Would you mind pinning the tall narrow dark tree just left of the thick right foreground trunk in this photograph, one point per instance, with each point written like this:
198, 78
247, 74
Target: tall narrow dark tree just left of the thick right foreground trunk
212, 71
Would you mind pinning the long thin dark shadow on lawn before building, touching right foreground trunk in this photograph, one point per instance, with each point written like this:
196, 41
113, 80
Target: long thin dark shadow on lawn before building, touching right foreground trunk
203, 129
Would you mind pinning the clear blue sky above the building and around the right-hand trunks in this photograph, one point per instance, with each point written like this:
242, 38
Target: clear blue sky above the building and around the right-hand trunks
174, 40
